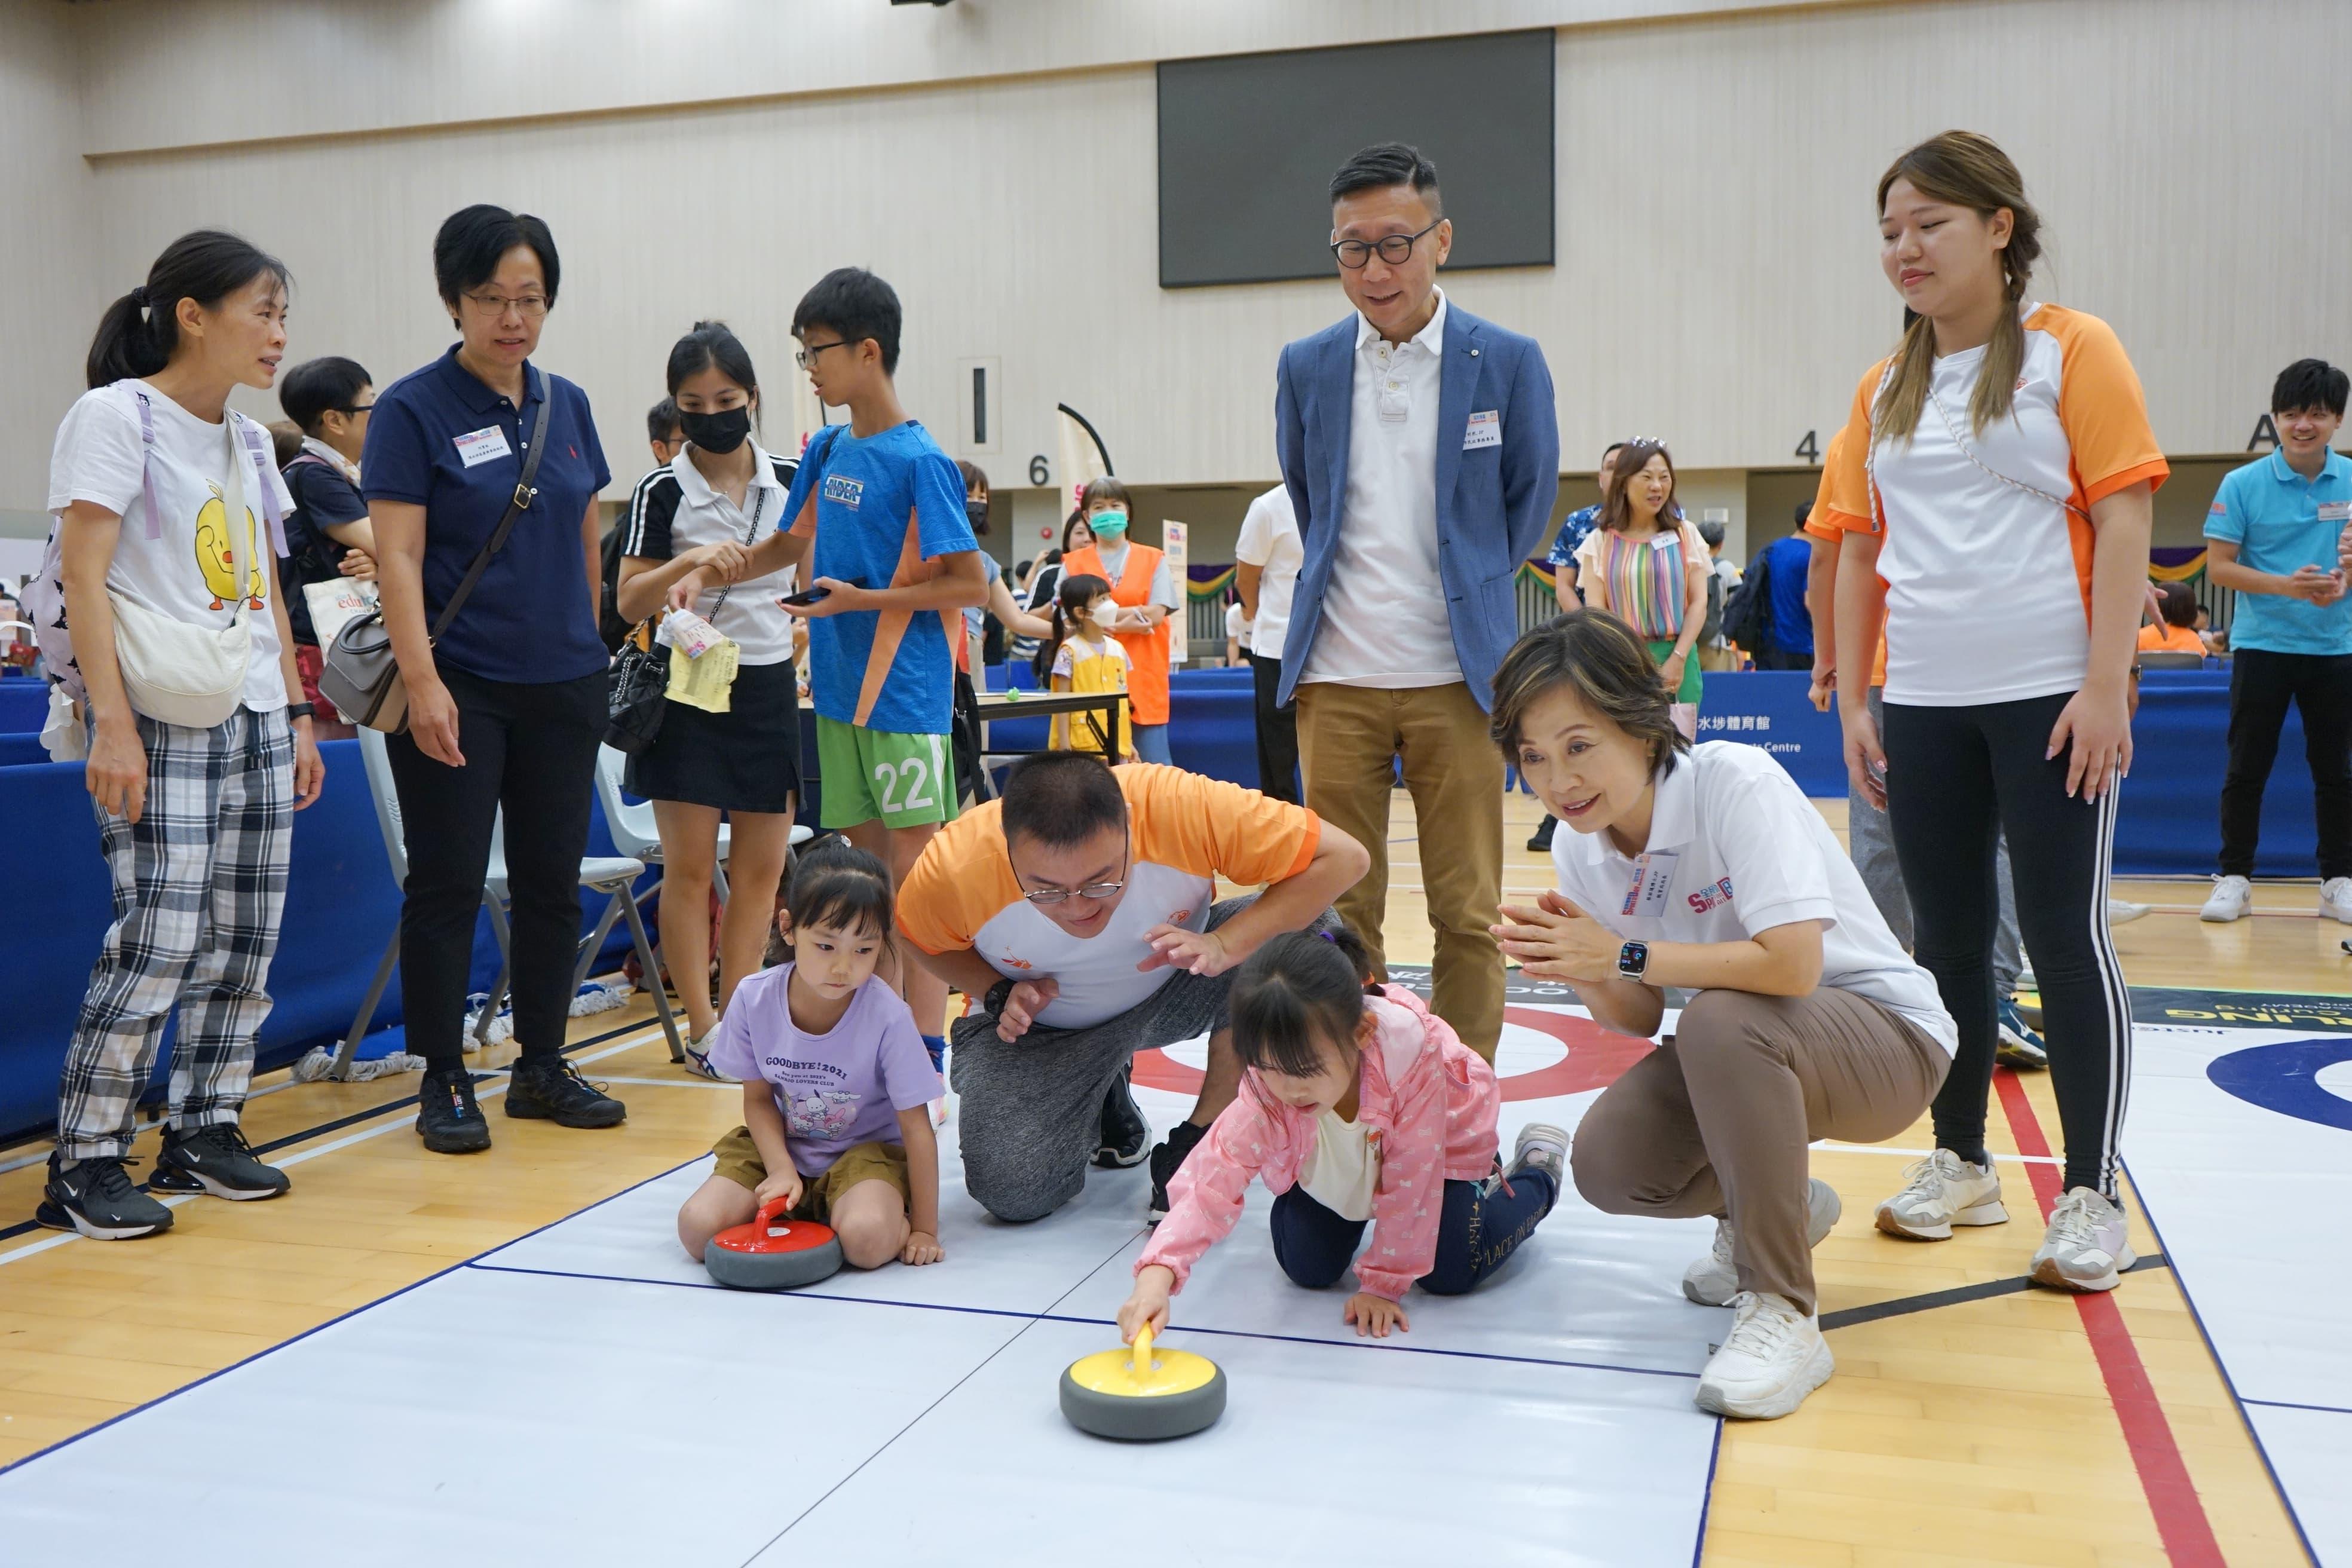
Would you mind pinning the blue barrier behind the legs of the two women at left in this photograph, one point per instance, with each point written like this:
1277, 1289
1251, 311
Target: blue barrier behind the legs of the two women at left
342, 909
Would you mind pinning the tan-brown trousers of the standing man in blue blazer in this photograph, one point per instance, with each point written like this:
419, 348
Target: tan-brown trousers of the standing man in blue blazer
1349, 742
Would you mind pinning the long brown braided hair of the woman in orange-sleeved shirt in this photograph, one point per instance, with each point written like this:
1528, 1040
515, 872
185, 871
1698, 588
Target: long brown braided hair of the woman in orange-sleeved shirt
1963, 170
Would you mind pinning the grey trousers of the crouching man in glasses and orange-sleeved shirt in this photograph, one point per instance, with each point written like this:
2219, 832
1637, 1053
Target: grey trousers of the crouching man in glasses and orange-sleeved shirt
1031, 1113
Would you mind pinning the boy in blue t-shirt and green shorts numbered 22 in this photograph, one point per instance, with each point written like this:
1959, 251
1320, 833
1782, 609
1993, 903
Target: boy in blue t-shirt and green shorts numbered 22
878, 511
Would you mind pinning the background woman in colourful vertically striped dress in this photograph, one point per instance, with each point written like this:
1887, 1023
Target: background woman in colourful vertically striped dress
1650, 570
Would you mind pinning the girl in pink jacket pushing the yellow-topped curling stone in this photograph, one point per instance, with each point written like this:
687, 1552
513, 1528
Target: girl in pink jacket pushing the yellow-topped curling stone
1358, 1108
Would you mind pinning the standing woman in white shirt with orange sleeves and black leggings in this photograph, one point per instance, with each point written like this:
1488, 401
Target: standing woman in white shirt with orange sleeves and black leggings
1996, 488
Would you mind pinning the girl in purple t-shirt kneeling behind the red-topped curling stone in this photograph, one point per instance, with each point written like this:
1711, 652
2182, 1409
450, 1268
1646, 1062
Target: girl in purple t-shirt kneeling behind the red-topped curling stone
836, 1083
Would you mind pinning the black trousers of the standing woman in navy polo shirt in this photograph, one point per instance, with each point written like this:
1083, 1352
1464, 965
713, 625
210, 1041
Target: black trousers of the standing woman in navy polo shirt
530, 751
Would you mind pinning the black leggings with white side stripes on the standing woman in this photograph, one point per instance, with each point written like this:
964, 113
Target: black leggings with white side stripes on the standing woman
1956, 782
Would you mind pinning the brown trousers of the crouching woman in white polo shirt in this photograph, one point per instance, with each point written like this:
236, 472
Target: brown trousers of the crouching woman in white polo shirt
1718, 1118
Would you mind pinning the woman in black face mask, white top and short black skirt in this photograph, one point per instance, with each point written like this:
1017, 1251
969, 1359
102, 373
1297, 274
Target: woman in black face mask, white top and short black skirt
707, 509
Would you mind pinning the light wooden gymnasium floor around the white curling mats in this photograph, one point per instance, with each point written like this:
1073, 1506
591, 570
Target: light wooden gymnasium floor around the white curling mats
2017, 1428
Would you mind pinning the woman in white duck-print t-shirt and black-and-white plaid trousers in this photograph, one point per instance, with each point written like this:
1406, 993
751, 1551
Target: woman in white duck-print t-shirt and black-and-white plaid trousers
194, 824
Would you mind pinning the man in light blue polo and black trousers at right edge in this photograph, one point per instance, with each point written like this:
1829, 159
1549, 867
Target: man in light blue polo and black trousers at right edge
2276, 535
